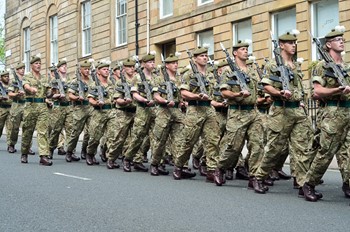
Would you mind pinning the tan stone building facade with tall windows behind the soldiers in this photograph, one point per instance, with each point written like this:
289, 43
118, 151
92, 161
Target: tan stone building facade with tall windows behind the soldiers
111, 29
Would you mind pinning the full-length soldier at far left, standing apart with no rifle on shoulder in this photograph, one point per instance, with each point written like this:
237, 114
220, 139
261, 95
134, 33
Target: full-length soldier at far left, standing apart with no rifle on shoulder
36, 113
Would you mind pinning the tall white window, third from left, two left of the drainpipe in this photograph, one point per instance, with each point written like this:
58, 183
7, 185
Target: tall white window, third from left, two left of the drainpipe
86, 28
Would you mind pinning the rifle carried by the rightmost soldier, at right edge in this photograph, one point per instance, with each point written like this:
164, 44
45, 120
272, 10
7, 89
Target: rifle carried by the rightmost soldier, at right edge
336, 70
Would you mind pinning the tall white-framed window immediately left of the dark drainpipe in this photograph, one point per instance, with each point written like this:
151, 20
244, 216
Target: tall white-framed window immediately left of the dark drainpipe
121, 19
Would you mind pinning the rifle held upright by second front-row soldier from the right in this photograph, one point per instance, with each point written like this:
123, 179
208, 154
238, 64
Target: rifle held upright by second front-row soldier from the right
284, 74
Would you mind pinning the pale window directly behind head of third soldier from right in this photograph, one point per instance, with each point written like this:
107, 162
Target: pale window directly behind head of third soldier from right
243, 31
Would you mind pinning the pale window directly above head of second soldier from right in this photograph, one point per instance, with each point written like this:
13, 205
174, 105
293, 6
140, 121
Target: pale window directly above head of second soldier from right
283, 21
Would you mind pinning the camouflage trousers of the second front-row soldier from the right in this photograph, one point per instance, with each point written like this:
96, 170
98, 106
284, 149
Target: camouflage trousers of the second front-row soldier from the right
287, 126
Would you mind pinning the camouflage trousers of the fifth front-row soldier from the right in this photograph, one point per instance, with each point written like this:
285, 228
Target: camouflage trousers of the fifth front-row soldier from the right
169, 123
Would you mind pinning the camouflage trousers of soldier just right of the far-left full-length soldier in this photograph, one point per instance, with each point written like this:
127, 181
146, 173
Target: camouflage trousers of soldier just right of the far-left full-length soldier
60, 119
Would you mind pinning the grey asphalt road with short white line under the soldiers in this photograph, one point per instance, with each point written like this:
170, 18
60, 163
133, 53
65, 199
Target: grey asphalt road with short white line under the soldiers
77, 197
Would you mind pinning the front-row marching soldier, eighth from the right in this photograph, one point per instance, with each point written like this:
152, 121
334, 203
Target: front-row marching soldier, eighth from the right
103, 118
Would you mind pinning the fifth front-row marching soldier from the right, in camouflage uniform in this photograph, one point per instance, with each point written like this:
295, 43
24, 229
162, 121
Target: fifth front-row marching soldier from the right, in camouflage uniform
169, 120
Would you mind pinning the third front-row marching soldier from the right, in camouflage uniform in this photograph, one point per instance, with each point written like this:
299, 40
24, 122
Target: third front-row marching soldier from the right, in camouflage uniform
243, 121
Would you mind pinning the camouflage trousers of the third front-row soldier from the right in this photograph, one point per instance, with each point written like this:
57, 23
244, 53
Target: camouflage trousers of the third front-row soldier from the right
242, 125
